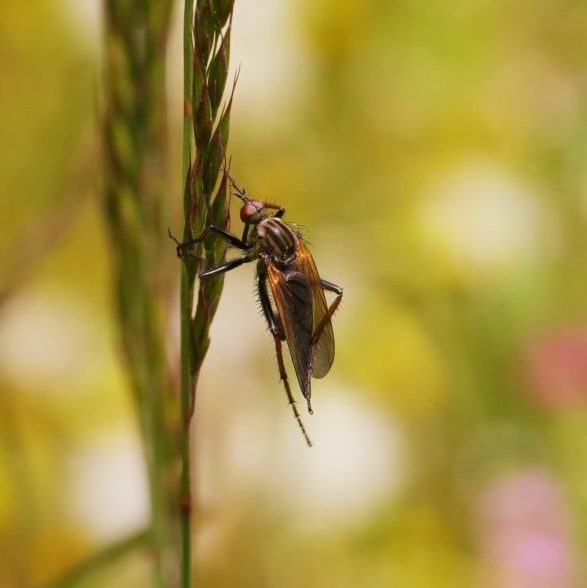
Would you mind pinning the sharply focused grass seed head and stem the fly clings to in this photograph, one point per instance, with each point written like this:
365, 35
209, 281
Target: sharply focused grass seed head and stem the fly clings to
207, 27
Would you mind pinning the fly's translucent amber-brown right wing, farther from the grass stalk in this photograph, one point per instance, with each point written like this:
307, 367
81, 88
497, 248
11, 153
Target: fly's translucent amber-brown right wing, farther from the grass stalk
323, 352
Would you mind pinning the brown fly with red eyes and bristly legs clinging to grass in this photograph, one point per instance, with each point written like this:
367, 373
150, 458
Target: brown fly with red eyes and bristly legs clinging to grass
296, 311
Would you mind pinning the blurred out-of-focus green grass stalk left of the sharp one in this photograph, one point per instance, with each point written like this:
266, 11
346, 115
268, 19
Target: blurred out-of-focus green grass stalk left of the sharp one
134, 160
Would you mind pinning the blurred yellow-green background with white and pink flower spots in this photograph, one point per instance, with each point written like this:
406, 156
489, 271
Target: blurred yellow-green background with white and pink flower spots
436, 153
